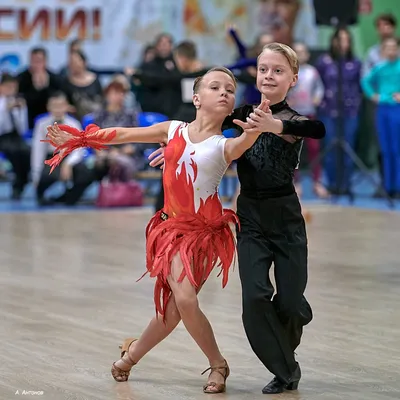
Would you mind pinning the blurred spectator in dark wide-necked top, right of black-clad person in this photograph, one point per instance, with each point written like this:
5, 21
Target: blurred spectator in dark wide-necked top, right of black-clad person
82, 87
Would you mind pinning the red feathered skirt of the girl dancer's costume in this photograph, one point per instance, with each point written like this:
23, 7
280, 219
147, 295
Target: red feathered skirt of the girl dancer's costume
202, 245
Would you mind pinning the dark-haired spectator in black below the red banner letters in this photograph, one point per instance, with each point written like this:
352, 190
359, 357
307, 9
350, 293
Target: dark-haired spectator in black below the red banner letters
36, 83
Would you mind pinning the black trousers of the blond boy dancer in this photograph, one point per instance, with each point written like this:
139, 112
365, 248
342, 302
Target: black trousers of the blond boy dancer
273, 231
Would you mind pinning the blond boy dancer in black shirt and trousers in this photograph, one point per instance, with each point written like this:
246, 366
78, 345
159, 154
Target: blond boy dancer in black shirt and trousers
272, 226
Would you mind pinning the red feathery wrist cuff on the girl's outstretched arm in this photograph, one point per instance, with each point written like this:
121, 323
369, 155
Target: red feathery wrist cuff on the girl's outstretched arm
87, 138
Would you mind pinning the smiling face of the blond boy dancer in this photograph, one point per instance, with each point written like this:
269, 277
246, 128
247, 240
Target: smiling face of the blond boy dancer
274, 76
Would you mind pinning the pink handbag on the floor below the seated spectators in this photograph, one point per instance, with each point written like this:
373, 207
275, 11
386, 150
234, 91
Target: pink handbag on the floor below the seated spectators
116, 193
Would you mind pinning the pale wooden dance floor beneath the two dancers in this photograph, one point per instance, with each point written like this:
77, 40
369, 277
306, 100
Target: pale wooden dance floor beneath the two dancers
68, 295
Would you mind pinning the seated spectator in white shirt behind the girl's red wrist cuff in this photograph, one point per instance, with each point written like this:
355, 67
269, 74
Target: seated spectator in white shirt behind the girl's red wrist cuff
72, 169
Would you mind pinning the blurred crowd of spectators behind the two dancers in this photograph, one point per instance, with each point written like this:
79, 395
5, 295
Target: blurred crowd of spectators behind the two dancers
160, 88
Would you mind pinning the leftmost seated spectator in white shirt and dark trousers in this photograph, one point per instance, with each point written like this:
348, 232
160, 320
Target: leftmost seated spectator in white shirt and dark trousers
13, 124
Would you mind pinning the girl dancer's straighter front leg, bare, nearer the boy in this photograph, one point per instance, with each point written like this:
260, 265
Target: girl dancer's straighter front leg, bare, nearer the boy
194, 320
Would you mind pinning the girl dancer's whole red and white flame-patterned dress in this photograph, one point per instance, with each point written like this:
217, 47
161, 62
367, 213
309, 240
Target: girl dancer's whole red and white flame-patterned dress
193, 222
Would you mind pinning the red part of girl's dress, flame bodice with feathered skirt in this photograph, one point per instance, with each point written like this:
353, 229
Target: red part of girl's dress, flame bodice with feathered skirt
203, 237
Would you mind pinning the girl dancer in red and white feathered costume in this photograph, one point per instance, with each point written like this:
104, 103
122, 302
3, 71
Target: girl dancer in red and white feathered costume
192, 234
